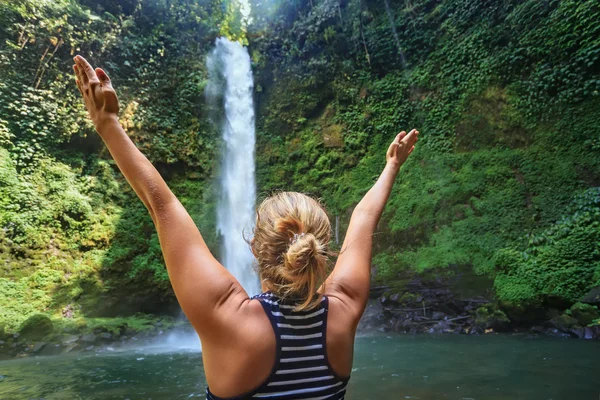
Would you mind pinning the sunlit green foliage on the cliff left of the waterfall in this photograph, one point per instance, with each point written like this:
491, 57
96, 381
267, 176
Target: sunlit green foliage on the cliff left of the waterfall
72, 230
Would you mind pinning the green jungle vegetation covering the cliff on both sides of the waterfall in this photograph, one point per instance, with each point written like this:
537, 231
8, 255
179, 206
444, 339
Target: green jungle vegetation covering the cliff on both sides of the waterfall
505, 181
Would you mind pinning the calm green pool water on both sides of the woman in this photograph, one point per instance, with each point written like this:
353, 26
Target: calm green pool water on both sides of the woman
398, 367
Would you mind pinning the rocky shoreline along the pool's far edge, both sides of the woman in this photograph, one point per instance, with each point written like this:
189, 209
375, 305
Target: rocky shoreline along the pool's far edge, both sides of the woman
422, 305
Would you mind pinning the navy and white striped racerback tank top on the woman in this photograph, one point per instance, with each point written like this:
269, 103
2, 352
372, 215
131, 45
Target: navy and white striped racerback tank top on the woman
301, 369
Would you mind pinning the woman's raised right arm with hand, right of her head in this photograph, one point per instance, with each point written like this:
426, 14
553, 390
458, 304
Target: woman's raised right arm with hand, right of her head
350, 279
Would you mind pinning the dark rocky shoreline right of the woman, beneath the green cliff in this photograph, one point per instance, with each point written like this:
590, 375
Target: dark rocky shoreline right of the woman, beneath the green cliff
433, 306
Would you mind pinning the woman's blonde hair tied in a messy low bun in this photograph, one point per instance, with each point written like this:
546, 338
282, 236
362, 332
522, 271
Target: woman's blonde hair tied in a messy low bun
291, 239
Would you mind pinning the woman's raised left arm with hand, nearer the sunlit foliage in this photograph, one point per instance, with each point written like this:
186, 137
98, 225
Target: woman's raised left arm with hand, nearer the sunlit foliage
202, 285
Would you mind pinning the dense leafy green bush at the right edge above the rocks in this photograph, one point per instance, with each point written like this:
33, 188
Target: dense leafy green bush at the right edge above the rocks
562, 261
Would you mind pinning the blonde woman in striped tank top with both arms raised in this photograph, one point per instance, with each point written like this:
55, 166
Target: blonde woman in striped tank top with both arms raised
294, 341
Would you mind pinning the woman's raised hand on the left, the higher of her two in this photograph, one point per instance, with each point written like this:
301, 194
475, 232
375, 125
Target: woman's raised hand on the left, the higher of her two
98, 94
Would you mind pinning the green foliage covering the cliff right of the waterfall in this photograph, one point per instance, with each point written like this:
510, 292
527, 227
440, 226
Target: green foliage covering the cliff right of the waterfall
505, 95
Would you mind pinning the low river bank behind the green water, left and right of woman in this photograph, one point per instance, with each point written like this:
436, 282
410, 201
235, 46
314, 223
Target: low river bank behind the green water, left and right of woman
385, 314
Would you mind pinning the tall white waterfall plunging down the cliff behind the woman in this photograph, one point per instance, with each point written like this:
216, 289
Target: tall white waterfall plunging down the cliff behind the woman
230, 90
